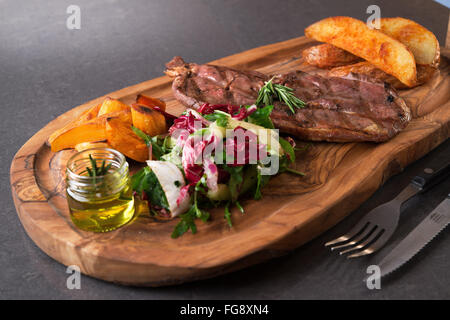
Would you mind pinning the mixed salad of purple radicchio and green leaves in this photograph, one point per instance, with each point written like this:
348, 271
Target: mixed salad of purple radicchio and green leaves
211, 157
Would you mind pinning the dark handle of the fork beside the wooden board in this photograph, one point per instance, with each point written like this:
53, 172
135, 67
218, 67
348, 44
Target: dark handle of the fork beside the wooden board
434, 173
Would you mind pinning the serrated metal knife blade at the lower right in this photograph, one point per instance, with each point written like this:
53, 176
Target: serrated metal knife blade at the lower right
417, 239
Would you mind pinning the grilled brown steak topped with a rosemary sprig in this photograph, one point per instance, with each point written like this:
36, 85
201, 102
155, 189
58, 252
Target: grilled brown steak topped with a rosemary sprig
337, 109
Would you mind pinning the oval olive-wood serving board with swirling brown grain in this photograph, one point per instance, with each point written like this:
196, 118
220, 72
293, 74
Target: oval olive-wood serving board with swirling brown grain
293, 210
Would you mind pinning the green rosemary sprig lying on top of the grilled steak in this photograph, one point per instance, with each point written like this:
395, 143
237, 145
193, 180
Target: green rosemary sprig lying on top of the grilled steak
271, 91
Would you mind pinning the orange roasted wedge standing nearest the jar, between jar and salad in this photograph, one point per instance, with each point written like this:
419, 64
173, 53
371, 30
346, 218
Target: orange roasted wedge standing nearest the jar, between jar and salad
121, 137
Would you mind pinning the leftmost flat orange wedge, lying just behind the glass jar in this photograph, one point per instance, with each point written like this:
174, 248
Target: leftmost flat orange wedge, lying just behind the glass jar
93, 130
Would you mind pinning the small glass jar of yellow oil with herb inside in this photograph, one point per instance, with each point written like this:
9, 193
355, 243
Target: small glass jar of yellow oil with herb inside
99, 203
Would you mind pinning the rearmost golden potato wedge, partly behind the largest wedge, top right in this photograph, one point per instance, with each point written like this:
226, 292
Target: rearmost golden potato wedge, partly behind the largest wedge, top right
422, 42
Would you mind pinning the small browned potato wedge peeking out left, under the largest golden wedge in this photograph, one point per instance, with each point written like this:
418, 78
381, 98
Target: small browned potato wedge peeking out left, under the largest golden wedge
328, 56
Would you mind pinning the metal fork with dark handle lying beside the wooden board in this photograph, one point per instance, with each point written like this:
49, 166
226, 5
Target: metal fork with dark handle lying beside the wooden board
375, 228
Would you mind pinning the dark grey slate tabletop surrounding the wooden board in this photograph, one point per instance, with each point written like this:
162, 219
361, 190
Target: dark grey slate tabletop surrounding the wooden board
46, 69
